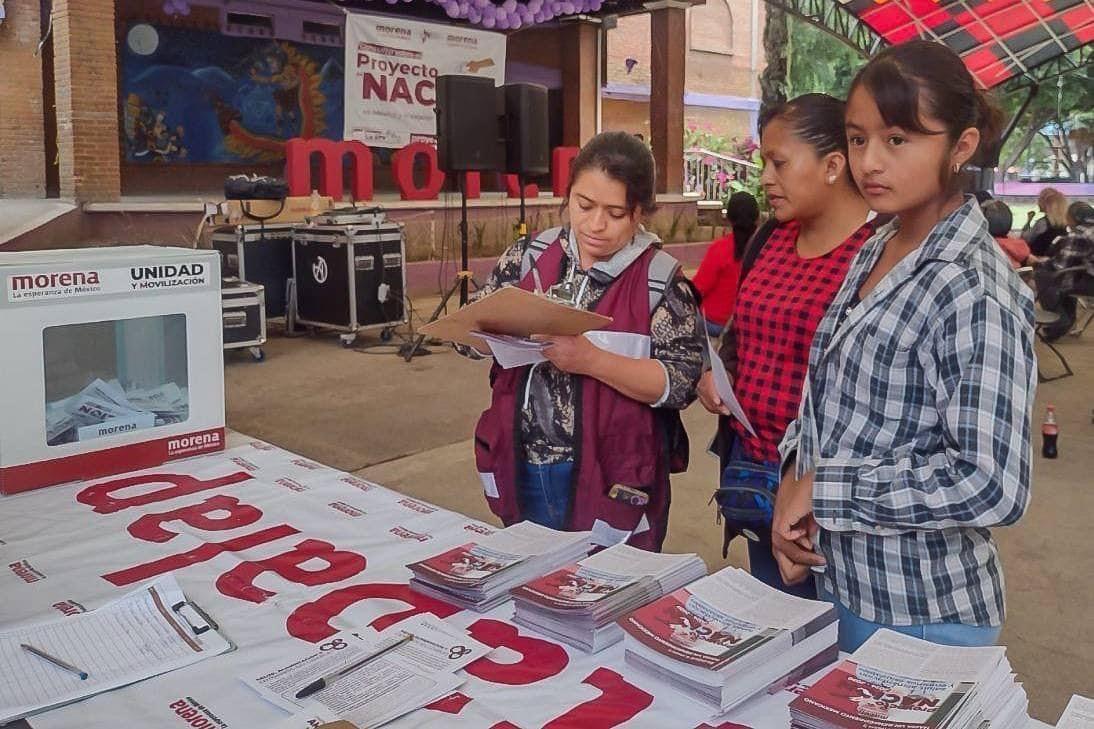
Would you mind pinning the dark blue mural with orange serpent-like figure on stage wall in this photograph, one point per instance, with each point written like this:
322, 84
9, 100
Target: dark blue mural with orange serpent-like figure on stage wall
199, 97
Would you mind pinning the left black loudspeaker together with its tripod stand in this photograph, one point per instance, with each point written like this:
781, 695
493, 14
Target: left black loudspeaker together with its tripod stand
468, 141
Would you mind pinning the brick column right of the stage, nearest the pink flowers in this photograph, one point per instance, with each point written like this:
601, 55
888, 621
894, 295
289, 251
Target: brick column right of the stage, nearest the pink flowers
668, 71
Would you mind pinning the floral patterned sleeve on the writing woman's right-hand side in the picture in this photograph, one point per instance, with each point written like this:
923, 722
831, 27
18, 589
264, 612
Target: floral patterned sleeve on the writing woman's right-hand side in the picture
678, 342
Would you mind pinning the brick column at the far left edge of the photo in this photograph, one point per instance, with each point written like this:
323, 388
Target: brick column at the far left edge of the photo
22, 126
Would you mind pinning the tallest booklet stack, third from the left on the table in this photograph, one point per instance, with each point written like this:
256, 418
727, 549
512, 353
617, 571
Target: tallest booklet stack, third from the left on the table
728, 638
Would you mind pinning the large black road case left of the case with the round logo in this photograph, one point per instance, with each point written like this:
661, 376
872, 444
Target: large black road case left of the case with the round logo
259, 254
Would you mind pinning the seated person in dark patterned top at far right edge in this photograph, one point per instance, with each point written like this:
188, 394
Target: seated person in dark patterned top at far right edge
1057, 291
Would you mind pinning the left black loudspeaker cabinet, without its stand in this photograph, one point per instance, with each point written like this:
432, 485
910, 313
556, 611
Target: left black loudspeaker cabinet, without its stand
468, 124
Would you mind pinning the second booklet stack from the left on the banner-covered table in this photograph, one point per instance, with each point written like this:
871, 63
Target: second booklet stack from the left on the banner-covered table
580, 604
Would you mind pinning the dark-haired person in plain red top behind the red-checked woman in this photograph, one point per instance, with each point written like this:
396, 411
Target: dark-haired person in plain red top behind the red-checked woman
717, 279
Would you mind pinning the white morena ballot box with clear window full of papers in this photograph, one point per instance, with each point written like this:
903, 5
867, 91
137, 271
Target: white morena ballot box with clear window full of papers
110, 362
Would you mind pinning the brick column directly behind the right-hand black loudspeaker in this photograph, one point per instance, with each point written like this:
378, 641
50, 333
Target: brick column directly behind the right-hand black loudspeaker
581, 80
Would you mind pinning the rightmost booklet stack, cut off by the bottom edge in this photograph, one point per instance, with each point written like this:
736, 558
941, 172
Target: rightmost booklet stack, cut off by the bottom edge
899, 682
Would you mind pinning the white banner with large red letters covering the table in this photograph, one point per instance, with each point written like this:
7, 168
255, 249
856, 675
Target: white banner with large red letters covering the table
277, 550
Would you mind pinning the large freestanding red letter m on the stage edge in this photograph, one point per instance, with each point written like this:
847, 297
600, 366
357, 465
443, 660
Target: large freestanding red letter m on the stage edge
298, 167
